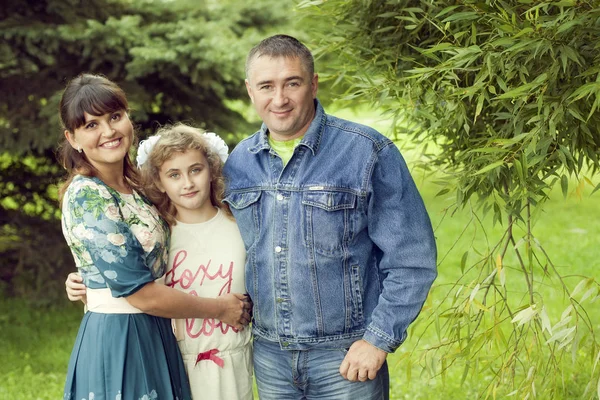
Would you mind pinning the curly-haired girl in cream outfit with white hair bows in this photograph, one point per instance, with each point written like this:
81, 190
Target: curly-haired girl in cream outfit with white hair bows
183, 177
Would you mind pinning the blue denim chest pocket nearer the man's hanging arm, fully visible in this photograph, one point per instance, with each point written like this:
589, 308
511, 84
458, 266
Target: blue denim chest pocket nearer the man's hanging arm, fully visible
327, 220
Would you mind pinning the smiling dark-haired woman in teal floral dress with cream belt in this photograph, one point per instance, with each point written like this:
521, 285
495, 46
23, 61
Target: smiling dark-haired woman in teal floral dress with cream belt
124, 348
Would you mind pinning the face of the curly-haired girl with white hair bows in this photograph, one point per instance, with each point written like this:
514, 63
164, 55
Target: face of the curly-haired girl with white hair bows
186, 179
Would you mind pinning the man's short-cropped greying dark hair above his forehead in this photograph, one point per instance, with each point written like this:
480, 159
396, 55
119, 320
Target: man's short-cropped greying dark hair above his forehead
282, 46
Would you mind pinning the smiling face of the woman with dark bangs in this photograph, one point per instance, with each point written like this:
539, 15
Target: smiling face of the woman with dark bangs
104, 139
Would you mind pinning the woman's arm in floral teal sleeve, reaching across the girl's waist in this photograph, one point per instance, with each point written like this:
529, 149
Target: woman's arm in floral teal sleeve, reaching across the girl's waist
91, 213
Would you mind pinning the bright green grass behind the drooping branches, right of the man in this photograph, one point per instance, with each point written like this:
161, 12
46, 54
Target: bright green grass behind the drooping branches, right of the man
569, 232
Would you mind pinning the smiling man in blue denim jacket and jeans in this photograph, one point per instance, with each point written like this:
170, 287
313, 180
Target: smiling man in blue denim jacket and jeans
340, 249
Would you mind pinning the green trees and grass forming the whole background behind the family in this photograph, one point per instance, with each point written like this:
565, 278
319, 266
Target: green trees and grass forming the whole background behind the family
493, 102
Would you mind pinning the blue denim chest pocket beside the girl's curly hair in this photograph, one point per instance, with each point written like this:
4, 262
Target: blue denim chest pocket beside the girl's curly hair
245, 209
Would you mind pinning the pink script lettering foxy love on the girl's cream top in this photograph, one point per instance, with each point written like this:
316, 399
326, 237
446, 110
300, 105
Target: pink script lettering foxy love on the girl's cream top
193, 280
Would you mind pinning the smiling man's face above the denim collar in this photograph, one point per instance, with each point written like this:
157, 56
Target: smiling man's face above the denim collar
282, 92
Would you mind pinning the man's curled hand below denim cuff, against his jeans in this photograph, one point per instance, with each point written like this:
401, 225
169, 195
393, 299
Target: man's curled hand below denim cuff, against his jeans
362, 362
